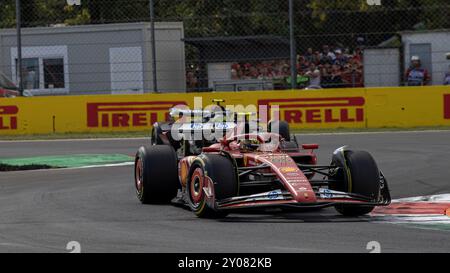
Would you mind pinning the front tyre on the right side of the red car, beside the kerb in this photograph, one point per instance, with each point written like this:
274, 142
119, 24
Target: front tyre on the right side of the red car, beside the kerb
364, 180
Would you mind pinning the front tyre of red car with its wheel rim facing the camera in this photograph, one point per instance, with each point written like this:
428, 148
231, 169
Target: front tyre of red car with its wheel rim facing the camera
221, 171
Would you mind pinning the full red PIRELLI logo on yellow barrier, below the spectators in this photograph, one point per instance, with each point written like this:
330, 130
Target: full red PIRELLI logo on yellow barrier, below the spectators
337, 110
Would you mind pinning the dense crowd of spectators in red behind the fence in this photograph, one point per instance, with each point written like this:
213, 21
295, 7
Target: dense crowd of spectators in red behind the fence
328, 68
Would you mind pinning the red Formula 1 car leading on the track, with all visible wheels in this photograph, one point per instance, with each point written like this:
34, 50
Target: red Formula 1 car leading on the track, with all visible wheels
256, 171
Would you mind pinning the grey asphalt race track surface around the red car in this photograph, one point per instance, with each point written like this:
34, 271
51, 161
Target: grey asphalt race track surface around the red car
41, 211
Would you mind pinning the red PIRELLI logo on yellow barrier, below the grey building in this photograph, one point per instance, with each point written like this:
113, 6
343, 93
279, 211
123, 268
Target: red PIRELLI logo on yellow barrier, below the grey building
128, 114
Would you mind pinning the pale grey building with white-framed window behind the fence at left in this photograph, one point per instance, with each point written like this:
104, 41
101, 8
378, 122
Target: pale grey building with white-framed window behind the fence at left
96, 59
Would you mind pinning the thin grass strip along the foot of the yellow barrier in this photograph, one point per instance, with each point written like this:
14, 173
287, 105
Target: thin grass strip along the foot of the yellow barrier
146, 133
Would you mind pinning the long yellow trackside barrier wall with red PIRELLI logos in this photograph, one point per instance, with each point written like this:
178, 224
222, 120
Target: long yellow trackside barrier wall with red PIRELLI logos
339, 108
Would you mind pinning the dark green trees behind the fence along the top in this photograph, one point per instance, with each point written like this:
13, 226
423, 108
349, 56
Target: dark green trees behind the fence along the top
208, 18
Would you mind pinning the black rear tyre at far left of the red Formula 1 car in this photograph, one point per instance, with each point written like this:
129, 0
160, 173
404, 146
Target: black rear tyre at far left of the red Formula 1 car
156, 174
